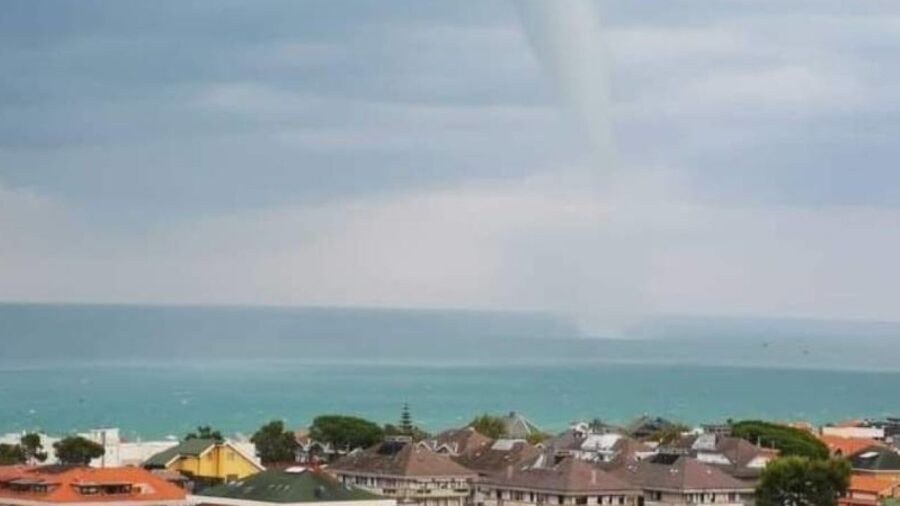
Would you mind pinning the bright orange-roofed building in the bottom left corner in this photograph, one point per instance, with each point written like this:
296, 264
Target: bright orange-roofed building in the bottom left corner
85, 486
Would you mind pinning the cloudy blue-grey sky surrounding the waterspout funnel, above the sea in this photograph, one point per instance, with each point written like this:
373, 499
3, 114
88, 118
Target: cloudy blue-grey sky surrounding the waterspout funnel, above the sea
417, 154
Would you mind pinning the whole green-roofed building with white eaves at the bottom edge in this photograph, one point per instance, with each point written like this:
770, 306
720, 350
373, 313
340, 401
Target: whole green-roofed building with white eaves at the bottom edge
291, 486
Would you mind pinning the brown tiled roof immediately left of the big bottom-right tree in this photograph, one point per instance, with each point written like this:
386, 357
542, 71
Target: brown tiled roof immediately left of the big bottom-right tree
678, 473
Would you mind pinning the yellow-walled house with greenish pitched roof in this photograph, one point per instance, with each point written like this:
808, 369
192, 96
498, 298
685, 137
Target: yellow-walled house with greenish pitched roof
206, 459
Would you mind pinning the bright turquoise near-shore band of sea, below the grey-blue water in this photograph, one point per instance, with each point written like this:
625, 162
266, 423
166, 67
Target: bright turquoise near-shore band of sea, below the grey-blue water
157, 400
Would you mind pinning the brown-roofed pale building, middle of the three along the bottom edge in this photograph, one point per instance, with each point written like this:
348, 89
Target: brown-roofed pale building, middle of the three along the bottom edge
544, 481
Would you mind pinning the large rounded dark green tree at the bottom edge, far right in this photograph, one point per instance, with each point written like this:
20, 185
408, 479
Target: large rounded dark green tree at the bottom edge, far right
799, 481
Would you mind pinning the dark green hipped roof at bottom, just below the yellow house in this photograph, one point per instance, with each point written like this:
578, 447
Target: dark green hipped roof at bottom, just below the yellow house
288, 487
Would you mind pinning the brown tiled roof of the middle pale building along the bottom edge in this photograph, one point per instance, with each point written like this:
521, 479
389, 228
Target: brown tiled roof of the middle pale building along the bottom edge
571, 476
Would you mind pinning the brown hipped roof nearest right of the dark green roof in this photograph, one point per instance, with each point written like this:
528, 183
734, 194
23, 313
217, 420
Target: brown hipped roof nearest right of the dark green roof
400, 459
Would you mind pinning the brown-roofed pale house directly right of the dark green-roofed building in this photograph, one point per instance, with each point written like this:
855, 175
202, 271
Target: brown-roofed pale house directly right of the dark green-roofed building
410, 473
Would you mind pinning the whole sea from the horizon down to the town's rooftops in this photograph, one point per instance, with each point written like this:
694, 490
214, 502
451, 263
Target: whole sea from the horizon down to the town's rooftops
159, 371
